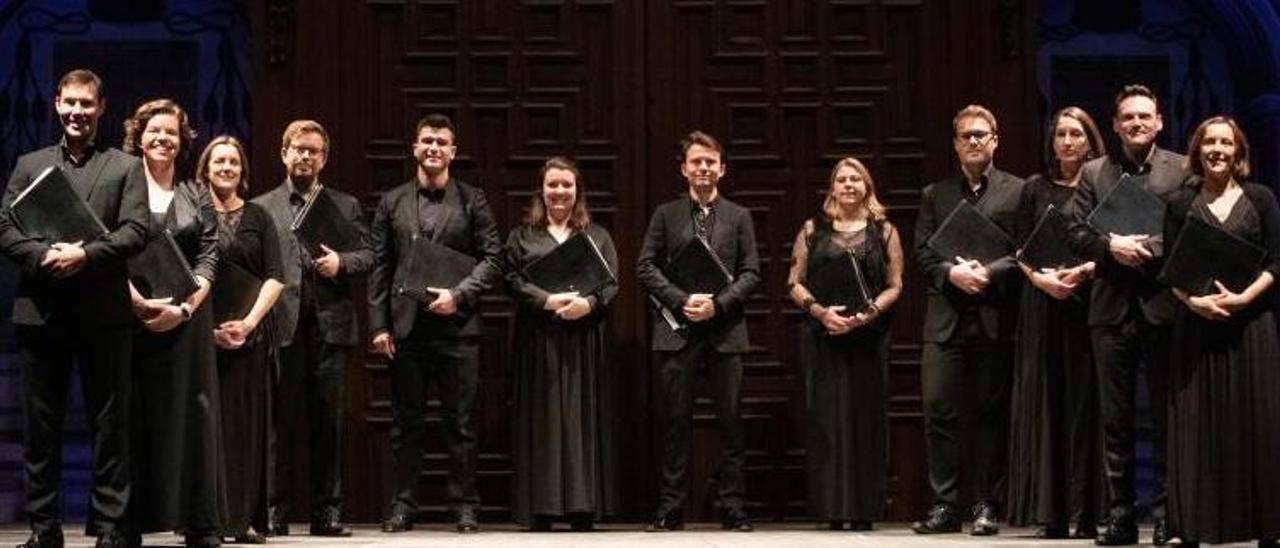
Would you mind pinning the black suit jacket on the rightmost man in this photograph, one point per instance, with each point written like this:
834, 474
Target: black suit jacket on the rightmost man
1118, 286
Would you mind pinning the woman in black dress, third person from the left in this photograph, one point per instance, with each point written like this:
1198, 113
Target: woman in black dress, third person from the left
248, 241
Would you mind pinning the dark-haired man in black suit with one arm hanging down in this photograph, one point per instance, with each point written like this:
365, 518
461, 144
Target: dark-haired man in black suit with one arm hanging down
435, 339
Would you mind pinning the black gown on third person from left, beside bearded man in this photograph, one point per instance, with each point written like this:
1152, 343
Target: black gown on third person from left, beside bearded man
246, 238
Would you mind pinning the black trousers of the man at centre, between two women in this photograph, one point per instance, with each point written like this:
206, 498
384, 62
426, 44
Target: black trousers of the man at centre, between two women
680, 372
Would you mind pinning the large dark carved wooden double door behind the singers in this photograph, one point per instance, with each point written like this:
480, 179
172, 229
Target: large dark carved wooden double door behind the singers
789, 86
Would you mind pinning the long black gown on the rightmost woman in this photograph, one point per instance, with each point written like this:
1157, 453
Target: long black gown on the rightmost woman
1224, 410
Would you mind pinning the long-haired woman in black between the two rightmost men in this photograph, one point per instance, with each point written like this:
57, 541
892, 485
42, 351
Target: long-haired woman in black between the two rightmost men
1055, 463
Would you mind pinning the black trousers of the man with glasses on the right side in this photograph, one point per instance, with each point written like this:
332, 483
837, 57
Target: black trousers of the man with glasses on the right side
971, 368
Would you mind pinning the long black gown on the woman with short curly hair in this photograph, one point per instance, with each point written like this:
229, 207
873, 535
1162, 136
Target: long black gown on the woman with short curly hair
177, 439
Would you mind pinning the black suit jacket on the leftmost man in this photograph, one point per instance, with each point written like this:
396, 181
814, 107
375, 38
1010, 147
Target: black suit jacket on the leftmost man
99, 294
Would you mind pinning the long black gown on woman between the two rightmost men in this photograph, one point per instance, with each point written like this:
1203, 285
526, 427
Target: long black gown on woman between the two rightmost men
1055, 460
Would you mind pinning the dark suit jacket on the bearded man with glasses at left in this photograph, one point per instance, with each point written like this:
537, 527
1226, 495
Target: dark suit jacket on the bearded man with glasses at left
336, 313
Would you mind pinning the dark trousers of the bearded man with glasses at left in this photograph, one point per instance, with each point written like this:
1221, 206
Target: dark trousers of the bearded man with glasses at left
309, 385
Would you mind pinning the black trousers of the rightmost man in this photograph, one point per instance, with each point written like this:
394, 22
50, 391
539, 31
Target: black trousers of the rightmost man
1121, 353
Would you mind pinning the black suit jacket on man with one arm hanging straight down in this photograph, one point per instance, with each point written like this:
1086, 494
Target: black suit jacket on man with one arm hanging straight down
468, 227
